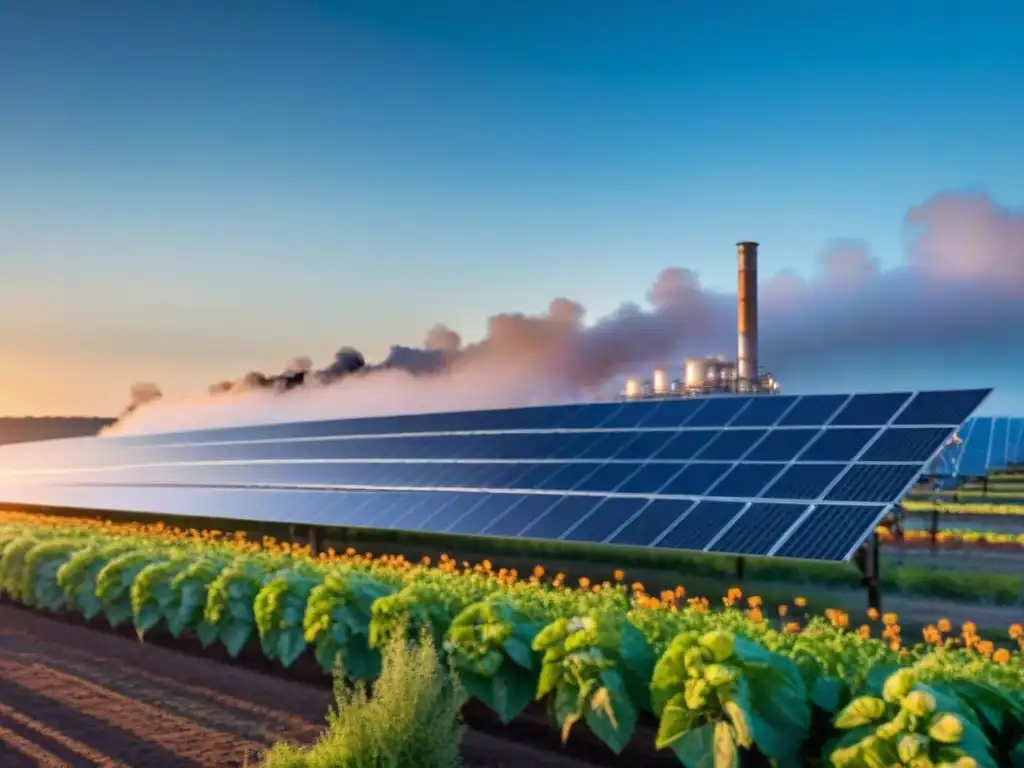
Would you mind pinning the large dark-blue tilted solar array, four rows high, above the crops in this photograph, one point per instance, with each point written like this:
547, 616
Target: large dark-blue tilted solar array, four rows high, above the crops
791, 477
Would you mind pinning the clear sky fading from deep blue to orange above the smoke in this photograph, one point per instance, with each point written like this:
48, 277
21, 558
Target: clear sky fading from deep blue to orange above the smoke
192, 190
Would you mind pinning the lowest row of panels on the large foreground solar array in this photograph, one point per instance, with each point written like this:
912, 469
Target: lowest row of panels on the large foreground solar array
756, 529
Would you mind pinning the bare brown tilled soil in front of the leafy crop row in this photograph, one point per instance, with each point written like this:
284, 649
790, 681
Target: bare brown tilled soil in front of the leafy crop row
75, 697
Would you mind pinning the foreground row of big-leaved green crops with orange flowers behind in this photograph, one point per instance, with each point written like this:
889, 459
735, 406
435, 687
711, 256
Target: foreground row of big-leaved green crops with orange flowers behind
727, 687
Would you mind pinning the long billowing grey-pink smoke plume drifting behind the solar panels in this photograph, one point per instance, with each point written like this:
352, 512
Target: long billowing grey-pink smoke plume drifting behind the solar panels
960, 290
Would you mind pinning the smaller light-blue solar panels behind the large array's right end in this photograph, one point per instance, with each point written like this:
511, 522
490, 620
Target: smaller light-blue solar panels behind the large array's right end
988, 445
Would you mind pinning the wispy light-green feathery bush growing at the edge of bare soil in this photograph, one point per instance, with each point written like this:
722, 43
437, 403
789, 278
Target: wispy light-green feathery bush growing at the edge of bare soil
411, 719
